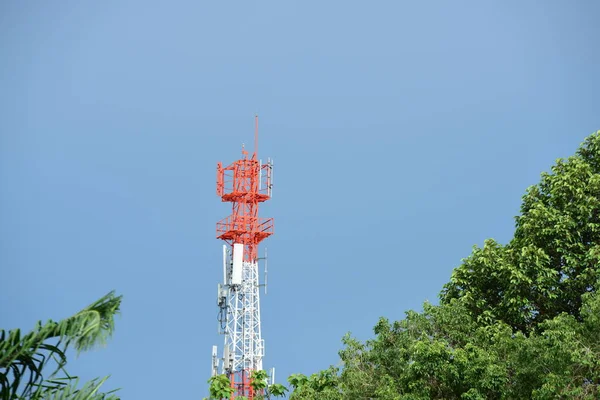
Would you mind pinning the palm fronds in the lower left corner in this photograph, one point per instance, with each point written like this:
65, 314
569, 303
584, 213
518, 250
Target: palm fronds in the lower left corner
32, 366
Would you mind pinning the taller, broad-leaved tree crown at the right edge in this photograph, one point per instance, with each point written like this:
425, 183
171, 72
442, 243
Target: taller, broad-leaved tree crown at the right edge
554, 256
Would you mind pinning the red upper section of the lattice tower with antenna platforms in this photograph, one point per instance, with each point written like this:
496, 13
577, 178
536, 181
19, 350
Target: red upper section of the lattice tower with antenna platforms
245, 183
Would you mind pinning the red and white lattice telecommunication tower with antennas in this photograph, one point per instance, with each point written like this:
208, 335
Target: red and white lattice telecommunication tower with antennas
245, 183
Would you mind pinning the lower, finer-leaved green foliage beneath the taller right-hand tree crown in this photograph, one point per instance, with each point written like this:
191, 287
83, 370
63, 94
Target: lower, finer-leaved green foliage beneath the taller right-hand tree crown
443, 353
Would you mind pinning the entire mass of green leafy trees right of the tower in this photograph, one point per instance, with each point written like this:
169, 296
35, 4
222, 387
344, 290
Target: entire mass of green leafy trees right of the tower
516, 321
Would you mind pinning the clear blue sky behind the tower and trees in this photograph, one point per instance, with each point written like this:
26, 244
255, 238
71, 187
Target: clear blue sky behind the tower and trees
403, 132
